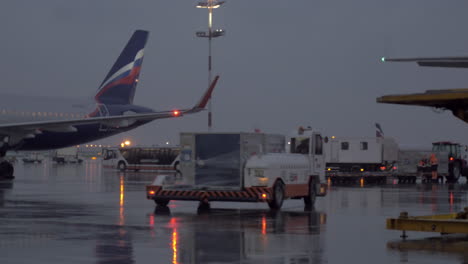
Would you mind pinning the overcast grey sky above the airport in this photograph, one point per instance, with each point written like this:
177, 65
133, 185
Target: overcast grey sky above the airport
282, 63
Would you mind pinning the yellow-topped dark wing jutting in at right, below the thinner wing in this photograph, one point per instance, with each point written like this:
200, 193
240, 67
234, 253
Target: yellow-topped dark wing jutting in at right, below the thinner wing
447, 99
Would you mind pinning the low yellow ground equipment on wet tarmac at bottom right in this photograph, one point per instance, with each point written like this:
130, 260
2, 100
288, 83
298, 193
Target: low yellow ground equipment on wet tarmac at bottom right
444, 224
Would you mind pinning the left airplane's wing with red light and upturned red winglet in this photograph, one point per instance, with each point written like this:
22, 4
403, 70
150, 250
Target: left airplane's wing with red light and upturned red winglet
25, 129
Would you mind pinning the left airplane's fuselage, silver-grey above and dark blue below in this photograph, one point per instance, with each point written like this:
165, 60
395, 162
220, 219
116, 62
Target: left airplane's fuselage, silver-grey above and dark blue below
18, 109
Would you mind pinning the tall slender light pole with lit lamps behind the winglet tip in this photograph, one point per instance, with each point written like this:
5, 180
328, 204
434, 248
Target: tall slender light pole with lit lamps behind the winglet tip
210, 5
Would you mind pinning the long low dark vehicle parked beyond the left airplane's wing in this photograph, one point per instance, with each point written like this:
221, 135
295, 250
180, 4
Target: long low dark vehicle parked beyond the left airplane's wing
141, 158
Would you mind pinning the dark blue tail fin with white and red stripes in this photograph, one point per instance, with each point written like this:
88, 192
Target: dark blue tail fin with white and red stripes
120, 83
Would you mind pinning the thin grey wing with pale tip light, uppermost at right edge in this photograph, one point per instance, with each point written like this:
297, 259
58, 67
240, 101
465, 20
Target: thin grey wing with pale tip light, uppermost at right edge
449, 62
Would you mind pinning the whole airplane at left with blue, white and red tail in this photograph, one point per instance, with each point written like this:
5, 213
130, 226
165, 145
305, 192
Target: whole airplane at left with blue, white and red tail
39, 123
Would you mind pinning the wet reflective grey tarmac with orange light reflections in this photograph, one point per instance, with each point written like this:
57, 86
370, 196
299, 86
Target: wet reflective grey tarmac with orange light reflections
84, 214
